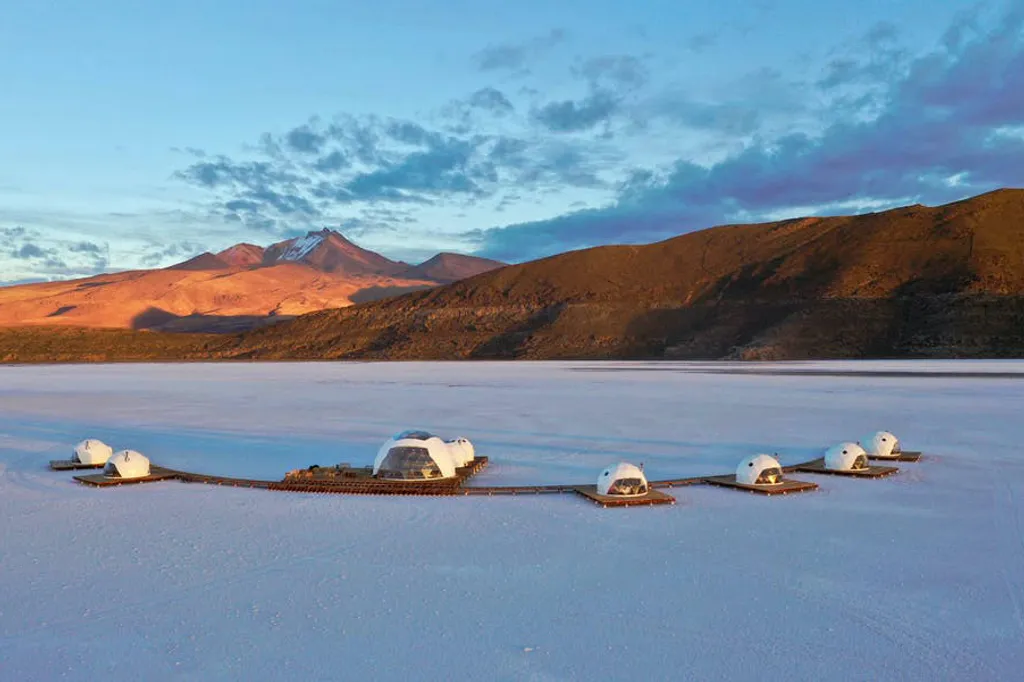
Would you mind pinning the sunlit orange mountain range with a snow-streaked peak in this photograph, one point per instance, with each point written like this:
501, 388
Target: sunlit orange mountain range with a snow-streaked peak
240, 288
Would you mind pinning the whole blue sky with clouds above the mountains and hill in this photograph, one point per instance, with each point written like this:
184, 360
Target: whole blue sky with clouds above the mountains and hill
138, 135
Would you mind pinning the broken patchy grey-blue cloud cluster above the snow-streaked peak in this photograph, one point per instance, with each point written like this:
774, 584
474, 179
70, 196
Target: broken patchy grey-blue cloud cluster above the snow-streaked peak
346, 167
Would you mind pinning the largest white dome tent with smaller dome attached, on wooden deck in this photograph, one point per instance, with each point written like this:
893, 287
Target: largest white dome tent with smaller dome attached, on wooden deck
421, 456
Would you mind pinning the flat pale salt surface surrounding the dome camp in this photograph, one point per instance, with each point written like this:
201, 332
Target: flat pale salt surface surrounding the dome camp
919, 577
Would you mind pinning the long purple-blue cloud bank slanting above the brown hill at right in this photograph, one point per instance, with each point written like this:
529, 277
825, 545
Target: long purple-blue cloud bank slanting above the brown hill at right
942, 129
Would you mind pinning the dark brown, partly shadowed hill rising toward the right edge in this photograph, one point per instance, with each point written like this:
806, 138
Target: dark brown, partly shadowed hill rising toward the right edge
910, 282
